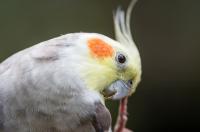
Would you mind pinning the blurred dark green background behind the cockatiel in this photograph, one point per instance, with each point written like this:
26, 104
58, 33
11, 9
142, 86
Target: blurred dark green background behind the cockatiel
167, 33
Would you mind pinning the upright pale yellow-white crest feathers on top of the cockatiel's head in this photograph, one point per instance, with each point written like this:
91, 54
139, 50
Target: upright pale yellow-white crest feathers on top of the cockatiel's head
122, 25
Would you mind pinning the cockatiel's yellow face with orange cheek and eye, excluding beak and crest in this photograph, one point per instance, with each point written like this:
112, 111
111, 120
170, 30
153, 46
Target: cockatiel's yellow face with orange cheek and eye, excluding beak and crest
108, 62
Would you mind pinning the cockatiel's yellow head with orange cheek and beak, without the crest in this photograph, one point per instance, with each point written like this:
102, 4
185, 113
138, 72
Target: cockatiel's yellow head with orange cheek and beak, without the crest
112, 68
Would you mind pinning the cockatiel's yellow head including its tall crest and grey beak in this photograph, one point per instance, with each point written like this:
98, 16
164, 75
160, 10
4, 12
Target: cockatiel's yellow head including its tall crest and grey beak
114, 67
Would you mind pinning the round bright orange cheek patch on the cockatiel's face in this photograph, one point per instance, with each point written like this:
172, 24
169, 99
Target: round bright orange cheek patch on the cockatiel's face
99, 48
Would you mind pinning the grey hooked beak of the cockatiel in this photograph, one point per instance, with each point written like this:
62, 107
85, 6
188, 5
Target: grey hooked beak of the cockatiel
117, 90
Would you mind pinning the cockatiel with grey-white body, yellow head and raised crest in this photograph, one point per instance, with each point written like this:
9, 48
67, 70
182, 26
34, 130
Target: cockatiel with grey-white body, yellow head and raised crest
60, 85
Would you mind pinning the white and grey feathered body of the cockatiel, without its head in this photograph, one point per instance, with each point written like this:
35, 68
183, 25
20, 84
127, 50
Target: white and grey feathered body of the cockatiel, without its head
41, 89
